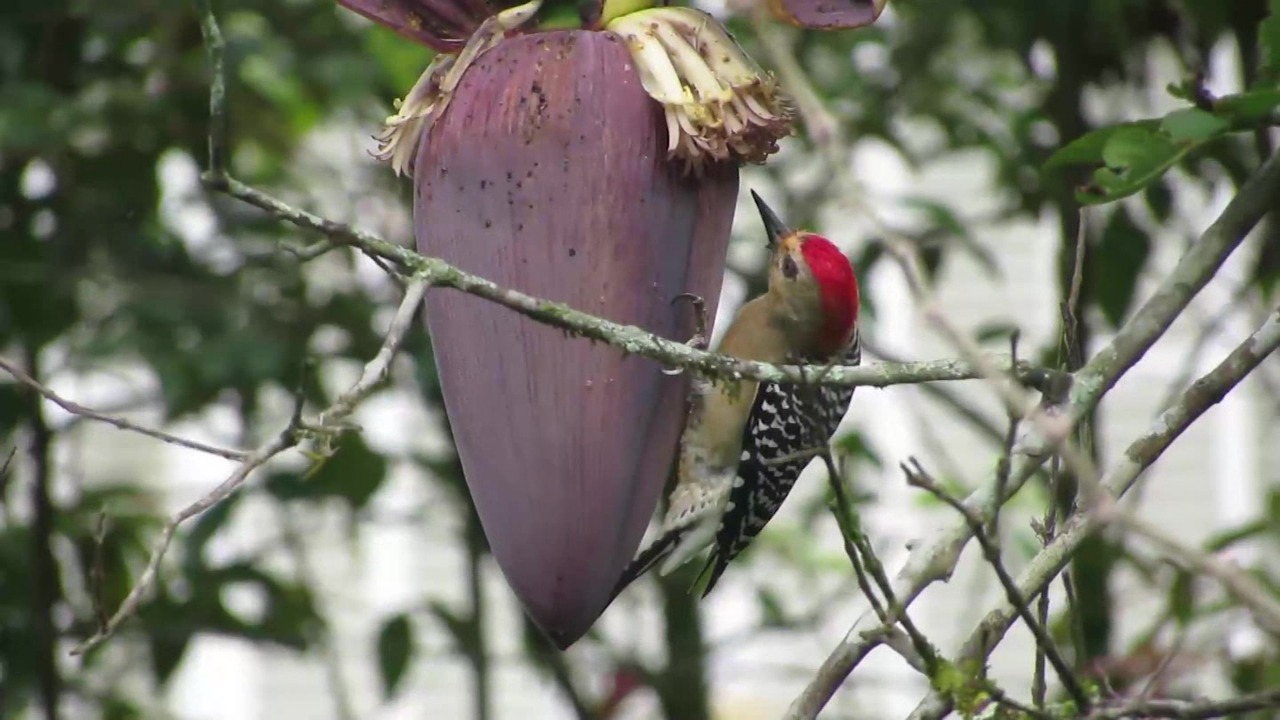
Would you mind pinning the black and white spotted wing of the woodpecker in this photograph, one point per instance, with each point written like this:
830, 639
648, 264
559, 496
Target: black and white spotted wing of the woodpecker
787, 420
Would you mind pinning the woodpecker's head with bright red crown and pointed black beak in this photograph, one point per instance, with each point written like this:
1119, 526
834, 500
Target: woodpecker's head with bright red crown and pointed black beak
813, 282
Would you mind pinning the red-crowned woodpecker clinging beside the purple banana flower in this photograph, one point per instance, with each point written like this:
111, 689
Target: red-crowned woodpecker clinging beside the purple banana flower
744, 444
